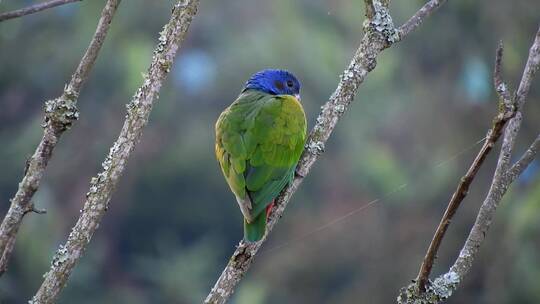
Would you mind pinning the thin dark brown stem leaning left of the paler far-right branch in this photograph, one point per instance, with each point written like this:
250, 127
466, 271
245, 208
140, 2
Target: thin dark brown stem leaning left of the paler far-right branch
506, 112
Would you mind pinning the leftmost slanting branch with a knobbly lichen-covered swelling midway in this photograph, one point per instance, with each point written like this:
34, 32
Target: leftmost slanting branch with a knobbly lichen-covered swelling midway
60, 113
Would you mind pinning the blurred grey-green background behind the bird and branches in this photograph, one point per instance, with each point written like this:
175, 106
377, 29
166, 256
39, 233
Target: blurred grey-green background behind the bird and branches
173, 224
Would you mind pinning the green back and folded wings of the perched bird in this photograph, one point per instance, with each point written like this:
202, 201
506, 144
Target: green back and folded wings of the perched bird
259, 139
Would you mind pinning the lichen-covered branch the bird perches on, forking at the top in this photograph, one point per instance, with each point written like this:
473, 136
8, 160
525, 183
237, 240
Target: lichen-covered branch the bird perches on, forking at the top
379, 35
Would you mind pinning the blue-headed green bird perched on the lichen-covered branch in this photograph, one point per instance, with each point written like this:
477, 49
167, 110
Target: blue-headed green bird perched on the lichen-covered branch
259, 140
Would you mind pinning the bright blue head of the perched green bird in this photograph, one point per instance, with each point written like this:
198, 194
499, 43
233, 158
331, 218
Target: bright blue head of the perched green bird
275, 82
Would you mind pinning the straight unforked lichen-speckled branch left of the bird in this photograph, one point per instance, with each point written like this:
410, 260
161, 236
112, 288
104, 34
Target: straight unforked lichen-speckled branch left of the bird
103, 185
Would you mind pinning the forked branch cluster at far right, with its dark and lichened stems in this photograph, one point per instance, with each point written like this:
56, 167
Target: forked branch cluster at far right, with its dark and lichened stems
430, 292
